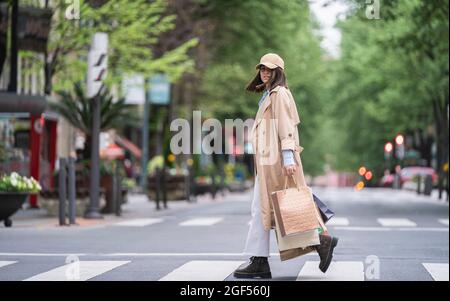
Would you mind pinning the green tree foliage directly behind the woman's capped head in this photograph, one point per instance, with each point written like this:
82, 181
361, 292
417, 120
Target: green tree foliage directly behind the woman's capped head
246, 30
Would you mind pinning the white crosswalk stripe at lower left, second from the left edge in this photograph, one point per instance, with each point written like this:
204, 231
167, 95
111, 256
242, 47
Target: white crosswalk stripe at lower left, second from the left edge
77, 271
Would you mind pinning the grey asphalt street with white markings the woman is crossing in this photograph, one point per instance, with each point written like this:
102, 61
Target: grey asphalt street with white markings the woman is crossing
384, 235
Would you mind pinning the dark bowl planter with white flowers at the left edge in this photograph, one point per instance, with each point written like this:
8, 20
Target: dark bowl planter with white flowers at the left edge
14, 190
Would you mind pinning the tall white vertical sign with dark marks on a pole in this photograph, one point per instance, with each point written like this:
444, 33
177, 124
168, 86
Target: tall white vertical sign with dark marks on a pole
97, 64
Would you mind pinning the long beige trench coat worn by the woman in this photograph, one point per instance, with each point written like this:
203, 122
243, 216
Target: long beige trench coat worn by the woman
275, 129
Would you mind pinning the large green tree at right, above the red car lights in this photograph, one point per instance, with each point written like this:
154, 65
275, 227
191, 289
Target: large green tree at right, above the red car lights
392, 77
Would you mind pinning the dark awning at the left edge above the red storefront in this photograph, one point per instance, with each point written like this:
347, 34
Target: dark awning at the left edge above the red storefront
17, 103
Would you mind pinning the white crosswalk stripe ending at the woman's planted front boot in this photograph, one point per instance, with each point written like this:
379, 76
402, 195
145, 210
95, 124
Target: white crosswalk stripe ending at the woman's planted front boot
211, 270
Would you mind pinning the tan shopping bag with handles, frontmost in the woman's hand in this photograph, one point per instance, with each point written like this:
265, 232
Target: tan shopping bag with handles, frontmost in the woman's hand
295, 209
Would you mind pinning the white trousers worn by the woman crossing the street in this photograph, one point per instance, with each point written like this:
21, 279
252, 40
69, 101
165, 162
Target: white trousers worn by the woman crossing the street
258, 239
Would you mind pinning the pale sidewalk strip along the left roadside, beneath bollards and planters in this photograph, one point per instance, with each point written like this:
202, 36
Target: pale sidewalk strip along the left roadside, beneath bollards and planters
137, 207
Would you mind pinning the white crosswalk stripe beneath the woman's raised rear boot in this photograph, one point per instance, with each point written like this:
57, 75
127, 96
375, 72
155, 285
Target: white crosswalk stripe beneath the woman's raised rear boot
338, 271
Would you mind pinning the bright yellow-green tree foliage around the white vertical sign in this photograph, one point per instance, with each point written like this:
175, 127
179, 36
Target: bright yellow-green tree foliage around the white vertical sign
132, 26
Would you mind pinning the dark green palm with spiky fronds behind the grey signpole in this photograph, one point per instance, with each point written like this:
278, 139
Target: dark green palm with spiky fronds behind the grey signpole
76, 107
